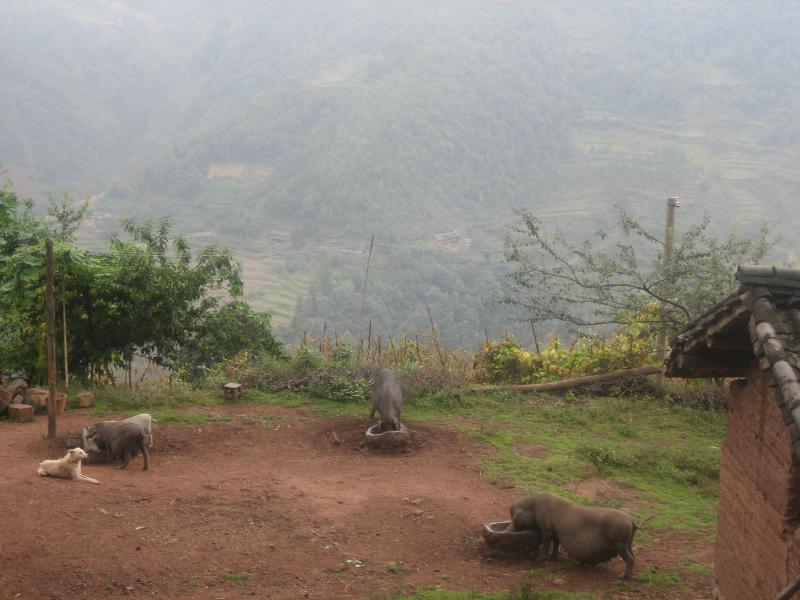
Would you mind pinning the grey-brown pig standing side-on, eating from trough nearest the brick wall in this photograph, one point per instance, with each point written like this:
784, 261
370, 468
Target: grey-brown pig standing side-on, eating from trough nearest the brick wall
588, 534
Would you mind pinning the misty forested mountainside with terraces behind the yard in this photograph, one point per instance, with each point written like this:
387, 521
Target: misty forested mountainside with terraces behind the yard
292, 132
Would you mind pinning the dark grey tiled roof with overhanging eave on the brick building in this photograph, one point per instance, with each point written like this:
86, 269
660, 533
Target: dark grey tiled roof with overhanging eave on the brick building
760, 321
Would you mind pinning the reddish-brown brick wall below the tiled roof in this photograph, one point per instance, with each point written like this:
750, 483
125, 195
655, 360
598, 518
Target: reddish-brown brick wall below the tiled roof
755, 545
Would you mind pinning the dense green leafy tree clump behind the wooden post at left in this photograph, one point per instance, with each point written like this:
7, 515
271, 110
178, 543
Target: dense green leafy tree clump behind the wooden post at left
147, 296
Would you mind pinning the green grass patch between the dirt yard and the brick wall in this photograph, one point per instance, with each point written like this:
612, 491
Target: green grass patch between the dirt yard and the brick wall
665, 456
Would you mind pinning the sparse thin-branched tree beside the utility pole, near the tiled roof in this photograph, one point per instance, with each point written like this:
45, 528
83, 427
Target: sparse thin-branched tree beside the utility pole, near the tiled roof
608, 280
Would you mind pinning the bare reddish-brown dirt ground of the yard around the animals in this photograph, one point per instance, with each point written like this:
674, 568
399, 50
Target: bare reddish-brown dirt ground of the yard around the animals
269, 505
